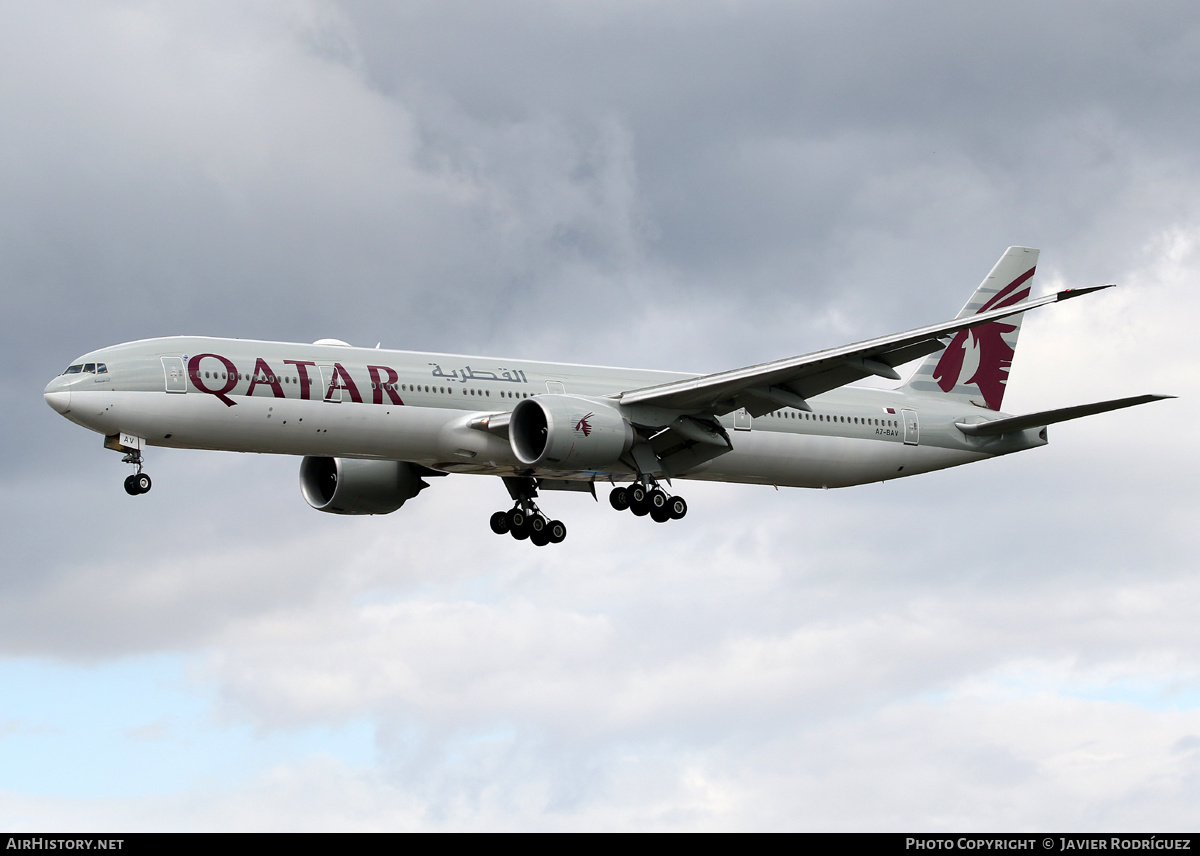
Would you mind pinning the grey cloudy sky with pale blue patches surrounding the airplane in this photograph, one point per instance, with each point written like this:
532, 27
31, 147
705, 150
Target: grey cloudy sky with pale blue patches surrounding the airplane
677, 185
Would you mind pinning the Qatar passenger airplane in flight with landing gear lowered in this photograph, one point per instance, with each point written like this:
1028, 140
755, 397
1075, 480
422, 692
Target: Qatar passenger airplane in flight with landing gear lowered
373, 426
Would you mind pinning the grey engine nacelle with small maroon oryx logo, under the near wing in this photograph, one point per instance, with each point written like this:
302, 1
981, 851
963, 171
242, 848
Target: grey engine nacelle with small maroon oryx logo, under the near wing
568, 433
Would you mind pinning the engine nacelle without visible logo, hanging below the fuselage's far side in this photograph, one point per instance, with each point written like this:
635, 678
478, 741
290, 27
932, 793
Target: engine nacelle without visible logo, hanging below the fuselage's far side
346, 486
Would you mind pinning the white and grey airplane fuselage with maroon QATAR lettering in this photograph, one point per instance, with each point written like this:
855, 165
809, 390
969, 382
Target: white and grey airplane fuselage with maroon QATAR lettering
339, 402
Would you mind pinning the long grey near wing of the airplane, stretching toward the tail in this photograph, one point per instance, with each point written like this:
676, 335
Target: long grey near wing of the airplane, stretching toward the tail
791, 382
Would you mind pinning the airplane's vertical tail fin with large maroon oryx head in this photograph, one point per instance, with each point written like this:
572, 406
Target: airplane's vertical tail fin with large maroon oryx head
975, 366
